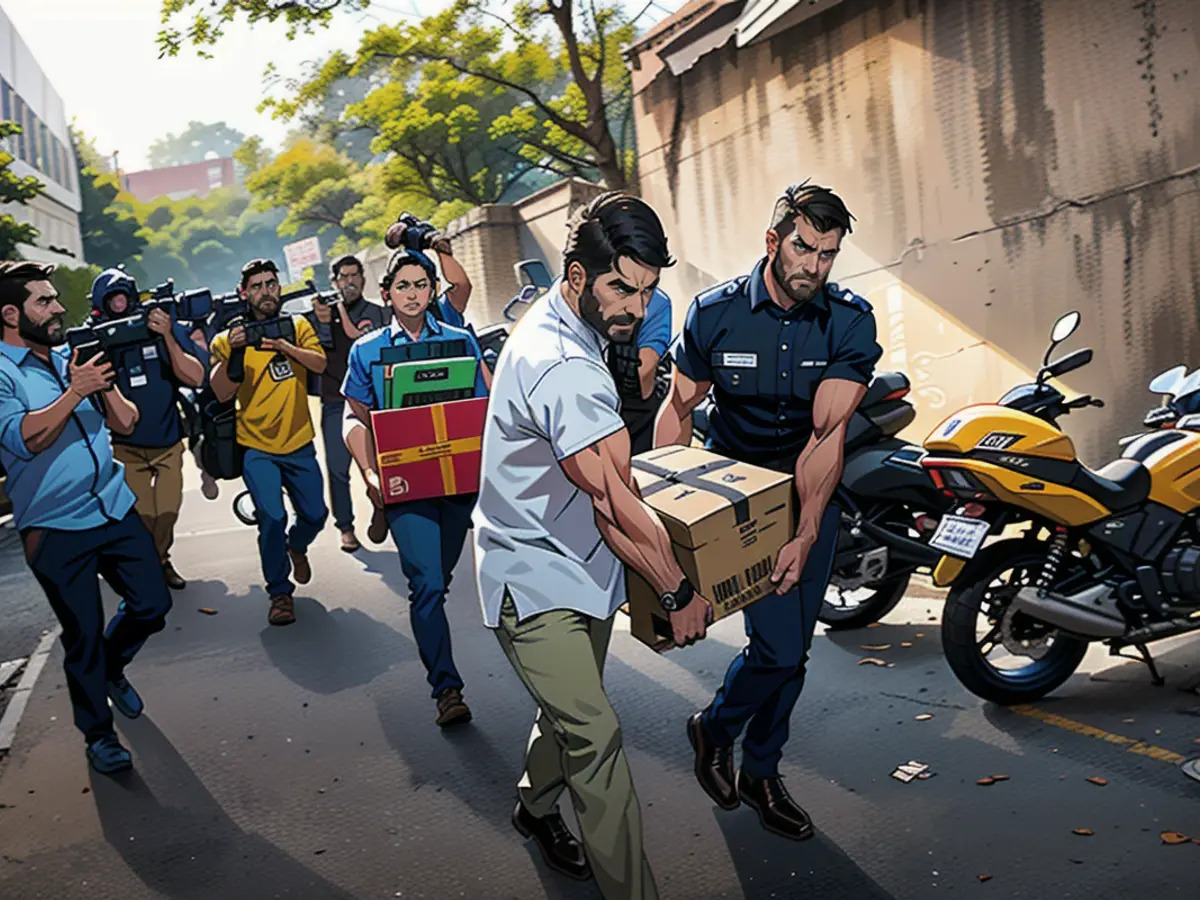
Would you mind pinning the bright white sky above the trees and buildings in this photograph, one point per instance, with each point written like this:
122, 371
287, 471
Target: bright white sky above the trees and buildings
103, 59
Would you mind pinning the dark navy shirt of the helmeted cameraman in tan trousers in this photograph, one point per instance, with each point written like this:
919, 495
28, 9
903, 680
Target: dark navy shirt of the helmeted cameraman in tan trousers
147, 377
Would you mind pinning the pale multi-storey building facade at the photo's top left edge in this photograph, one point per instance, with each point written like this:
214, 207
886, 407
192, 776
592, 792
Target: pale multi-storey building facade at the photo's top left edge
43, 151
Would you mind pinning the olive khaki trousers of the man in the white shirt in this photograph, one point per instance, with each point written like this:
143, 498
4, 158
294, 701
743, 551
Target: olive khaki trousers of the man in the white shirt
577, 745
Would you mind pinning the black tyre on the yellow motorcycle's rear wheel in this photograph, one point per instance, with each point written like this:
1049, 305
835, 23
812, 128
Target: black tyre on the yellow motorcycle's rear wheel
964, 607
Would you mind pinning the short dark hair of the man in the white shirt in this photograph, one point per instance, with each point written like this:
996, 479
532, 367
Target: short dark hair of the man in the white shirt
611, 227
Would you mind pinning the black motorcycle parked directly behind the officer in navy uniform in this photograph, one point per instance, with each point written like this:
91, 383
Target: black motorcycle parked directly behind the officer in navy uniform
890, 507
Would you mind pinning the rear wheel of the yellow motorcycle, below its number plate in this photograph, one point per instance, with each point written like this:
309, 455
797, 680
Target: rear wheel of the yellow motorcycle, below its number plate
980, 603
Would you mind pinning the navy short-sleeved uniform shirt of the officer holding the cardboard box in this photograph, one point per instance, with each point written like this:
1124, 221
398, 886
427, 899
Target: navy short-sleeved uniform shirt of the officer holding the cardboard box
765, 363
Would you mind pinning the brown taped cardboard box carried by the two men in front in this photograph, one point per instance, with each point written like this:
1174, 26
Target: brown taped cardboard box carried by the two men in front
728, 523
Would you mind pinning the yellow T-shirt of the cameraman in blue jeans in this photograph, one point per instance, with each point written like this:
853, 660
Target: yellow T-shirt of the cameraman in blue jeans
273, 400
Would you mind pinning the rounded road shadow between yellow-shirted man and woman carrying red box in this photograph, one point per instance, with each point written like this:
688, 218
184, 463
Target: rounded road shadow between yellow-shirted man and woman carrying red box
327, 652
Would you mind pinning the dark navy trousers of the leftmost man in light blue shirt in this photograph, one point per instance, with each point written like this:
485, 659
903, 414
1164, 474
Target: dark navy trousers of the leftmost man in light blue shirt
69, 567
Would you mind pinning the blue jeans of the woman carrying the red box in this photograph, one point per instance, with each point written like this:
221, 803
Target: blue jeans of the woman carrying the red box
430, 536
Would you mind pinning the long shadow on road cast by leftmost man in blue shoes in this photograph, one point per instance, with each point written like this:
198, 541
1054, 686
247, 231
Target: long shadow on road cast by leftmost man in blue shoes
178, 839
